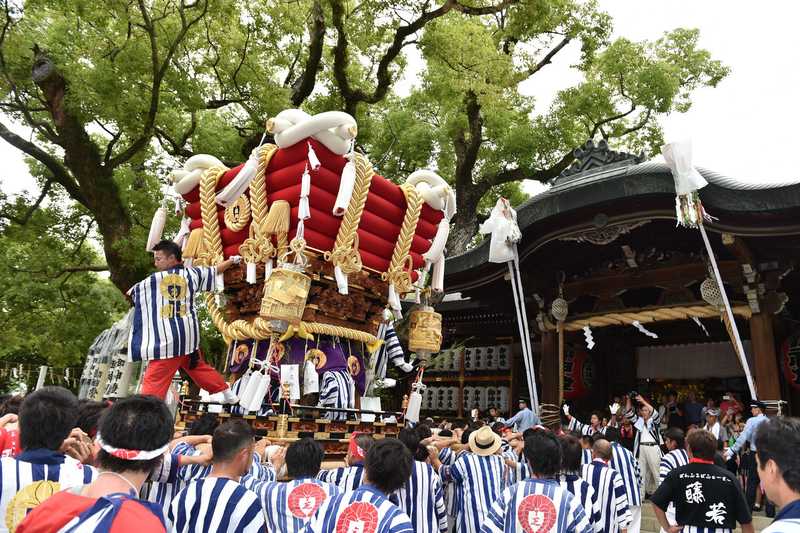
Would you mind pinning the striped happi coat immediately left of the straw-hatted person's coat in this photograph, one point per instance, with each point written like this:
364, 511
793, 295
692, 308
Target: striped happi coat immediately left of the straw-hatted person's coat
422, 499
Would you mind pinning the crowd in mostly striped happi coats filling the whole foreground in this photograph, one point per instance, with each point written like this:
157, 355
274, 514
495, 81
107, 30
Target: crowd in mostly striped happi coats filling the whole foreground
80, 466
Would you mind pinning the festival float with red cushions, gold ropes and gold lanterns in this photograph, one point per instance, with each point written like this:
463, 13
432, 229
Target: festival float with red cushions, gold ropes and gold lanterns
329, 248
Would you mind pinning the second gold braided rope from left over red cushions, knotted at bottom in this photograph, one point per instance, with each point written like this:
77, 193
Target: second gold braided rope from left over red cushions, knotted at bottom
258, 248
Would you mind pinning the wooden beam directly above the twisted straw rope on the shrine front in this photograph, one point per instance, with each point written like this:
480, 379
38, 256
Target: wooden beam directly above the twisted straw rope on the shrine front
657, 277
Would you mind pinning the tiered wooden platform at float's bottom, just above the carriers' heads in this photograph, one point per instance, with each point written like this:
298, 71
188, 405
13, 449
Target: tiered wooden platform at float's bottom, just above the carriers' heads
304, 421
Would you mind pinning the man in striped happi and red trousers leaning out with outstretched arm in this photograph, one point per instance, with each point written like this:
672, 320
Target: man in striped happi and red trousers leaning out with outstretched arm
165, 331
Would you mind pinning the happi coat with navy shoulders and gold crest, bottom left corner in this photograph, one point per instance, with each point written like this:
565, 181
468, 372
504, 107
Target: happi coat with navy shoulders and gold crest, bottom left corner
51, 469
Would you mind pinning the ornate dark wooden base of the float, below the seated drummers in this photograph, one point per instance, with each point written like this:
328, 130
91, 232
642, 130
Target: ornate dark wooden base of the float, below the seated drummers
333, 435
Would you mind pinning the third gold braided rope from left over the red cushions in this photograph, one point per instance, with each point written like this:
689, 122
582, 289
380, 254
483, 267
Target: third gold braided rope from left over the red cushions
345, 254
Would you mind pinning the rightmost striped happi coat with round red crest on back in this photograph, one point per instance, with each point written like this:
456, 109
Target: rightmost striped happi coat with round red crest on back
536, 505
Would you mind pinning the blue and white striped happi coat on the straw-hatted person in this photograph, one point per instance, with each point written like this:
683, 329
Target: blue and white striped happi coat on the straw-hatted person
479, 480
